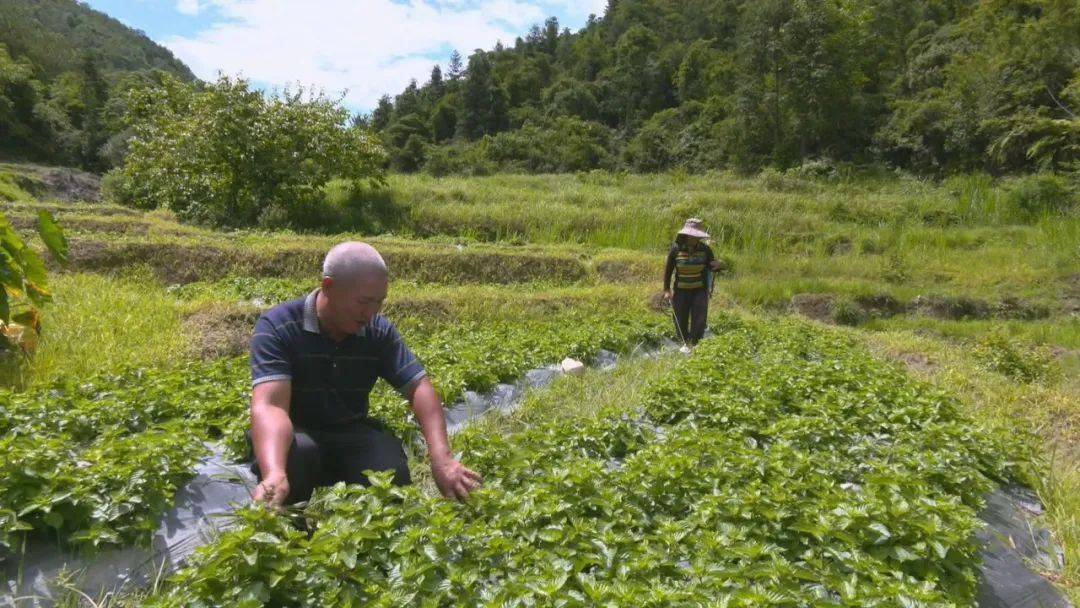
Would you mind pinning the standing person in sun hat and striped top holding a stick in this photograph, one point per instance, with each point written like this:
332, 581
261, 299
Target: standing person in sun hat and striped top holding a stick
692, 263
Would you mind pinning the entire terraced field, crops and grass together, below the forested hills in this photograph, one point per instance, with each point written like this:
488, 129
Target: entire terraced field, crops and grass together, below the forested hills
836, 461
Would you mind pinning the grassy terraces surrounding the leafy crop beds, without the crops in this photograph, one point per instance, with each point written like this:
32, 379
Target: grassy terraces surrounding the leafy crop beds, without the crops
952, 281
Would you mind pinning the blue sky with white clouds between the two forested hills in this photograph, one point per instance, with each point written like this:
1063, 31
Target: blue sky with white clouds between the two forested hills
358, 48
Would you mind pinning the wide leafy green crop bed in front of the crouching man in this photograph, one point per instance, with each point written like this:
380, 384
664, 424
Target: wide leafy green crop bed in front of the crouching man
780, 466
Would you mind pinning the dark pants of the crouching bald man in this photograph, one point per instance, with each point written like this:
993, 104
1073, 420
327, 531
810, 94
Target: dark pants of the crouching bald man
323, 458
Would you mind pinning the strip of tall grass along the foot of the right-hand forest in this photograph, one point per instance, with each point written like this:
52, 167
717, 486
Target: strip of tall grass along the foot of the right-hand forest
644, 211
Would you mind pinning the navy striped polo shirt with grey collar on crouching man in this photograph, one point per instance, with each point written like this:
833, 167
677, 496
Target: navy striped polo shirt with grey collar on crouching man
331, 381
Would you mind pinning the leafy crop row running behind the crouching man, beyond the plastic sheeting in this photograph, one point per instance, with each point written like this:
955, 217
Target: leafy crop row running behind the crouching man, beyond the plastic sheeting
96, 462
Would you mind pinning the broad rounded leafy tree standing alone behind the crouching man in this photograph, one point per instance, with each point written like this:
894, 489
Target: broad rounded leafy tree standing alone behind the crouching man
225, 155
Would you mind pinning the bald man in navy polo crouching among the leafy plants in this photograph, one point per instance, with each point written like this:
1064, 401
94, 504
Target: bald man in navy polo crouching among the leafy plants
315, 362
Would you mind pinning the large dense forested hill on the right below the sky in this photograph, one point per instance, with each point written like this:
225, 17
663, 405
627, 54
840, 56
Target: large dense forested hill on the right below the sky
929, 86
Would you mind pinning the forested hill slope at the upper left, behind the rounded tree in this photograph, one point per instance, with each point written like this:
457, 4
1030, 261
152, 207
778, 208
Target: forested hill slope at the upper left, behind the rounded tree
61, 65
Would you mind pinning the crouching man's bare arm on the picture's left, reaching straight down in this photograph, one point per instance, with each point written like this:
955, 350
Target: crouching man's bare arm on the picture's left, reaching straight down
272, 436
